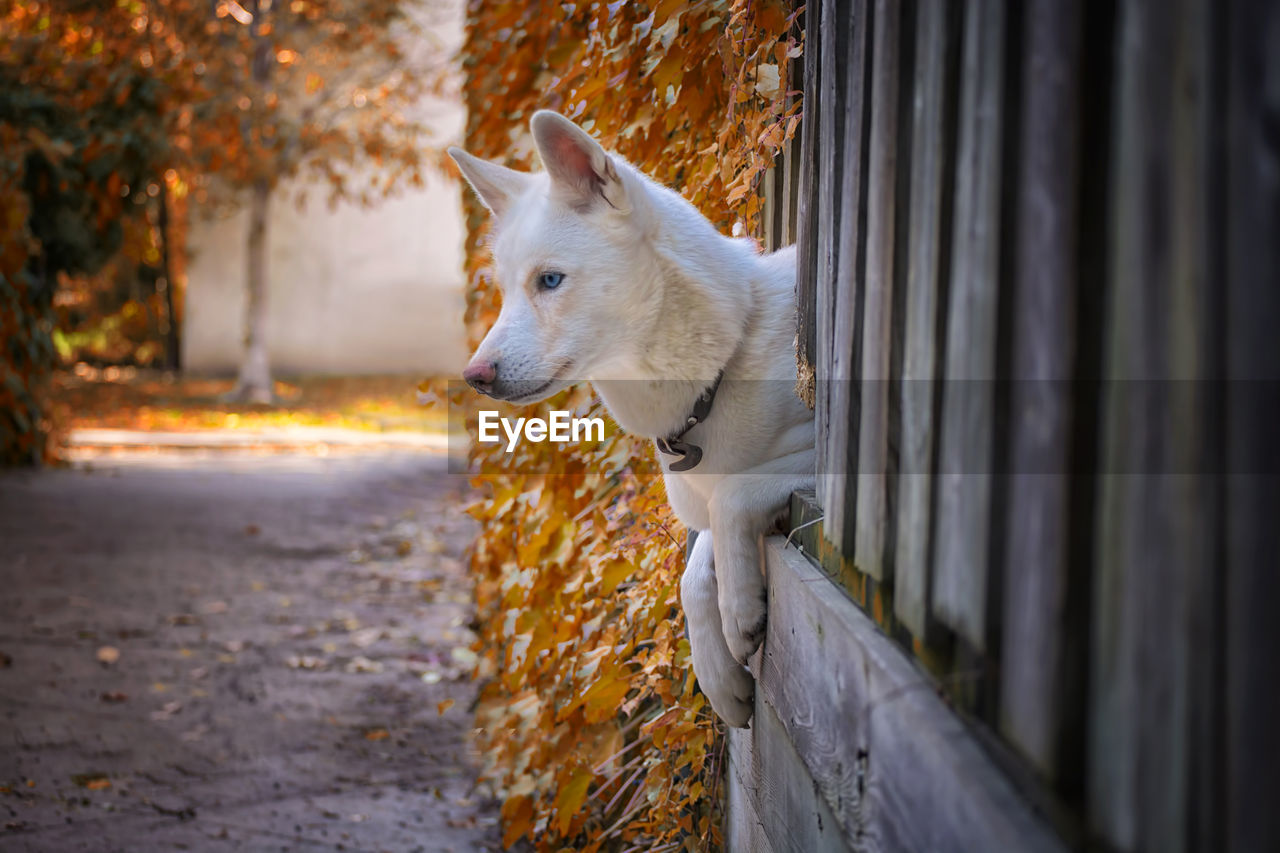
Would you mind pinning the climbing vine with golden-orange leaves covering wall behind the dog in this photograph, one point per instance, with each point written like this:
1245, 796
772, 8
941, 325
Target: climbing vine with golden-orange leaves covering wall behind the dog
589, 720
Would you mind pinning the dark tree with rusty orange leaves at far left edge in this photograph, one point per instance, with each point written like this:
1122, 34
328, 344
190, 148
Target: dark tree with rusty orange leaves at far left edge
88, 124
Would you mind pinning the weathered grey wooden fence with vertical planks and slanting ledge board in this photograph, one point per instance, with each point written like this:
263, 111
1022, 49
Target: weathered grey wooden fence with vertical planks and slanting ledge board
1040, 300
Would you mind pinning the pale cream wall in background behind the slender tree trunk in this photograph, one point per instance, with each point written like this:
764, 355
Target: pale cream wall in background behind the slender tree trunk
353, 290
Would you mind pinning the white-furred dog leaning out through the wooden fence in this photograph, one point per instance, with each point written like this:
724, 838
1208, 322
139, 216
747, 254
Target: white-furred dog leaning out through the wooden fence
653, 305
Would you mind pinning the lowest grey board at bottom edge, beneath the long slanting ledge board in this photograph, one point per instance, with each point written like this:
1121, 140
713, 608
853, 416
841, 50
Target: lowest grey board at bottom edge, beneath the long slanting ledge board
793, 816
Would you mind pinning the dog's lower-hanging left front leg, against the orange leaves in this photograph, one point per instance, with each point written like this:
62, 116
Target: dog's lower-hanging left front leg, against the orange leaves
726, 683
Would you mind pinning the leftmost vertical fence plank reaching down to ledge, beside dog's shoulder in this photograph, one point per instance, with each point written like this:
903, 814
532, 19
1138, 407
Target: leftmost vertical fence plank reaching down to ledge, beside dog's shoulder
839, 367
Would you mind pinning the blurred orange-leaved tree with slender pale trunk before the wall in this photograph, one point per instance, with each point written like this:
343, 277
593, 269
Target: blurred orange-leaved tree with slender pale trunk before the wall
313, 89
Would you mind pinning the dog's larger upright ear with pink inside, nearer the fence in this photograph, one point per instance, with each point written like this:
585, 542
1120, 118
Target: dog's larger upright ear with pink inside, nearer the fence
582, 172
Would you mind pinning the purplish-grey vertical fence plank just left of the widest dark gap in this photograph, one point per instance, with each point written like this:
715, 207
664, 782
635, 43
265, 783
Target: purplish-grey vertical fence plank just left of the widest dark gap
1044, 357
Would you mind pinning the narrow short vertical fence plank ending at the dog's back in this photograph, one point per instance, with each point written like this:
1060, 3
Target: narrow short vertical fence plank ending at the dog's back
807, 221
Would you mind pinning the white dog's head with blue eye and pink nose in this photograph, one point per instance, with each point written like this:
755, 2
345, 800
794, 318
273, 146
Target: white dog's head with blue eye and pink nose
570, 259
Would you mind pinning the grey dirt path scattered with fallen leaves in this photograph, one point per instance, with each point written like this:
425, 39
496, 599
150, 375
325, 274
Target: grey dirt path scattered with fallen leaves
237, 653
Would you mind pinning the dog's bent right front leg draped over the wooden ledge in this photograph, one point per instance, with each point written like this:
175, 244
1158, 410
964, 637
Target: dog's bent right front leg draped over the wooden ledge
743, 509
